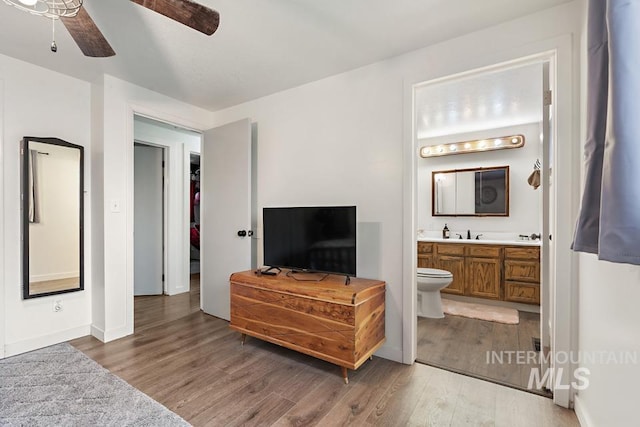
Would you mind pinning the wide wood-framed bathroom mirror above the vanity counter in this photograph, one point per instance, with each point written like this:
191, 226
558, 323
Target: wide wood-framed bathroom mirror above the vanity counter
470, 192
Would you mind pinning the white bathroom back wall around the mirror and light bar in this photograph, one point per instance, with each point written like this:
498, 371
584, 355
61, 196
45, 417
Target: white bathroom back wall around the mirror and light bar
525, 203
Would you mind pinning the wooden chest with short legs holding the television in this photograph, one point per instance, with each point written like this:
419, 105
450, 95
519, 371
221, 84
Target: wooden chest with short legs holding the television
338, 323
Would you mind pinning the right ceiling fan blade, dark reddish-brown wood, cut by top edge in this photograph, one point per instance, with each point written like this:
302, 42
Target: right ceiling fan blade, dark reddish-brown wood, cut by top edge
186, 12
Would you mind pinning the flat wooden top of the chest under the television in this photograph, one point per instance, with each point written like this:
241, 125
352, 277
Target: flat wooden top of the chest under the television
332, 288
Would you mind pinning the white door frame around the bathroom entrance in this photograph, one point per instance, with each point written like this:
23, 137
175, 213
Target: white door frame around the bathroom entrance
563, 304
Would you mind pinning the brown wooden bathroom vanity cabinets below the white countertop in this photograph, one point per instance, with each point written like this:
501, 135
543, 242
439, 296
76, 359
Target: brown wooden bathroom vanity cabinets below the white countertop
506, 272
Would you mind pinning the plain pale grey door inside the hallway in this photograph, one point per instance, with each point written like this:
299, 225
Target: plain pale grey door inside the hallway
149, 220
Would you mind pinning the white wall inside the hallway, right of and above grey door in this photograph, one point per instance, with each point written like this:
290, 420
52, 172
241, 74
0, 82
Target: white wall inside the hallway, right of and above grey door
179, 144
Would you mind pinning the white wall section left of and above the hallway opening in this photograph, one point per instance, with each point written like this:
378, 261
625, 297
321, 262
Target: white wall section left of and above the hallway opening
121, 101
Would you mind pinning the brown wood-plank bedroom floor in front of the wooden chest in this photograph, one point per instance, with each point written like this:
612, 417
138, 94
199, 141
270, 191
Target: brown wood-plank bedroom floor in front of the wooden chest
195, 365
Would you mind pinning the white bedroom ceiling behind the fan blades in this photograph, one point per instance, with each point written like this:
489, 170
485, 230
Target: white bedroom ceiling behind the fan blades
261, 46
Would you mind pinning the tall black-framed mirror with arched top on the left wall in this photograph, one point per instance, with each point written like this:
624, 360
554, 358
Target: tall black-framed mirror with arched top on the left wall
52, 217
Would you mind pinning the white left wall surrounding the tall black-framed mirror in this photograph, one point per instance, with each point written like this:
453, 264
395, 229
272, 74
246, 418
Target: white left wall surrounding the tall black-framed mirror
39, 102
